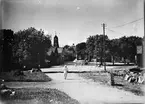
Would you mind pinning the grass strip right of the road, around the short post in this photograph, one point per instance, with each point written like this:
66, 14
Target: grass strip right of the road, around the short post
120, 83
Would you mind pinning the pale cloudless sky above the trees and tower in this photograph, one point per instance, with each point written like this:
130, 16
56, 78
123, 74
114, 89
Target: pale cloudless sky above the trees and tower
74, 20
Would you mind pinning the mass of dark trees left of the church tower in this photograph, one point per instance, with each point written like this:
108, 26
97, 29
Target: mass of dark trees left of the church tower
24, 48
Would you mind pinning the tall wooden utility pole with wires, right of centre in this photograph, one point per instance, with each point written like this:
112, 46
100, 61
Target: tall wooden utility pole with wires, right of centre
104, 25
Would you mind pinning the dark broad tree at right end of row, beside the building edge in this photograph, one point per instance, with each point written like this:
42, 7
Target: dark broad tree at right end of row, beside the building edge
126, 47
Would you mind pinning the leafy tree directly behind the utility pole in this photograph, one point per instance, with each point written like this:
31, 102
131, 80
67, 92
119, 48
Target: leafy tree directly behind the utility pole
95, 46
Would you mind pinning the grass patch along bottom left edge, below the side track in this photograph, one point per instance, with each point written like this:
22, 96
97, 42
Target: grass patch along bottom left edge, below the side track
39, 96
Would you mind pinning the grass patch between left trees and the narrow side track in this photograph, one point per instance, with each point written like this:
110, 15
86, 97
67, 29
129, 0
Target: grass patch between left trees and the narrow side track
27, 77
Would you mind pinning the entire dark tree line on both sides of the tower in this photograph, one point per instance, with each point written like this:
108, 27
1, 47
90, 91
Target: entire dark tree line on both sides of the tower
30, 48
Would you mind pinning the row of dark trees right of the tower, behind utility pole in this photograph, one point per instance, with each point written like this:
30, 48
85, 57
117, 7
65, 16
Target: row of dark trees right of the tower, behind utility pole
102, 48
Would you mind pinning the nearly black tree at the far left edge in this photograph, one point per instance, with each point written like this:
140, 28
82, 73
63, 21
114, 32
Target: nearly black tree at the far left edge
6, 44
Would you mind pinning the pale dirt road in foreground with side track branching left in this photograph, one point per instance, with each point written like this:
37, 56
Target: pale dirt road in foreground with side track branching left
85, 91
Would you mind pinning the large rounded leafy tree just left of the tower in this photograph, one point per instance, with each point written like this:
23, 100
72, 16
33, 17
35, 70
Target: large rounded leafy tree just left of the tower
30, 47
